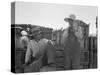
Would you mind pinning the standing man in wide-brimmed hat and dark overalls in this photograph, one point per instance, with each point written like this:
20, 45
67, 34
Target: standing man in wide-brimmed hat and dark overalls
70, 41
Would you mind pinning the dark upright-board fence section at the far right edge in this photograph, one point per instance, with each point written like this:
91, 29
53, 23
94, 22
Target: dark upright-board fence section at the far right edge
93, 52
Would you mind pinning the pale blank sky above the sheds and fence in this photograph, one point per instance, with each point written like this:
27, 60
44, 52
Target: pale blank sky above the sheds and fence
52, 15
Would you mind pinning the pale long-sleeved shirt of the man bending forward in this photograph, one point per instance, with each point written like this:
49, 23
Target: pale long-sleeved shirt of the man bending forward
35, 48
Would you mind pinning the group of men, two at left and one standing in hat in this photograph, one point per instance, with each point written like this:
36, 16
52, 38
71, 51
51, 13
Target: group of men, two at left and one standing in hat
40, 52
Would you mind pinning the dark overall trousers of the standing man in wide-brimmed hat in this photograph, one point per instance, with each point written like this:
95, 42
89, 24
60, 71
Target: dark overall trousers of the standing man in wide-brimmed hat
72, 54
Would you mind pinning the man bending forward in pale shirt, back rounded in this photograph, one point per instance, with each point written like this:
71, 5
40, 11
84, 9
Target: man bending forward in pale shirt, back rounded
37, 49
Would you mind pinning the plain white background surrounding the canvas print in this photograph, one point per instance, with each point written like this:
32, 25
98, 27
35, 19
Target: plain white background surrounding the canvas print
5, 36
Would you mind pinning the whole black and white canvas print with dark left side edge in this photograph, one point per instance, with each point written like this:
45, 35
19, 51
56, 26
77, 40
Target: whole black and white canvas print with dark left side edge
49, 37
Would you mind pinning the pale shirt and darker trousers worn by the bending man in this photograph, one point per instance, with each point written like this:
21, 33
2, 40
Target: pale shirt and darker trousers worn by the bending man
39, 50
